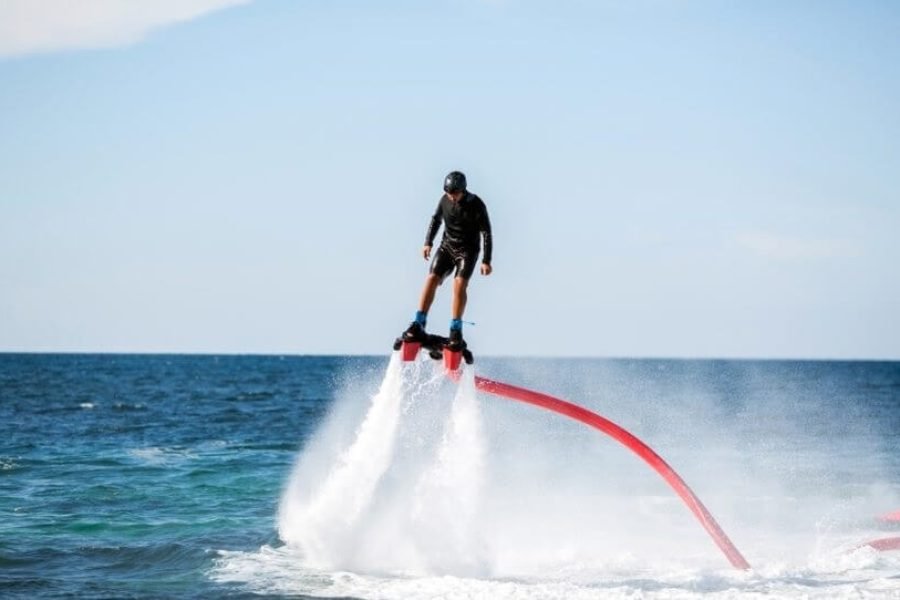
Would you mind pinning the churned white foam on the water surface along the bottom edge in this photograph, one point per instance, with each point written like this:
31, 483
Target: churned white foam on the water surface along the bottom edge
281, 571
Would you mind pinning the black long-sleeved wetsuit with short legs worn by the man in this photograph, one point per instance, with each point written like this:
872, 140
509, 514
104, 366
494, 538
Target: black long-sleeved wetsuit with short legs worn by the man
465, 222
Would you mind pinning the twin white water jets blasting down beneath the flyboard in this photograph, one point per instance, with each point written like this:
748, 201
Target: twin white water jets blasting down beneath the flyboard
404, 494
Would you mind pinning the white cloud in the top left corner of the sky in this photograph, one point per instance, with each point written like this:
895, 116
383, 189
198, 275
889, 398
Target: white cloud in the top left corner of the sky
29, 26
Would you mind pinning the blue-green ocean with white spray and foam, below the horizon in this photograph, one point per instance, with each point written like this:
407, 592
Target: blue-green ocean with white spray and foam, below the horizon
184, 476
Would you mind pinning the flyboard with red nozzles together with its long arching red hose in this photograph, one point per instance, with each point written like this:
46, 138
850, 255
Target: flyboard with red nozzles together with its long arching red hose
439, 348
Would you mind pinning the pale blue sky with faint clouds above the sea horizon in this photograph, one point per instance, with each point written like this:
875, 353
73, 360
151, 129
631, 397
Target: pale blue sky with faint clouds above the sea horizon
673, 179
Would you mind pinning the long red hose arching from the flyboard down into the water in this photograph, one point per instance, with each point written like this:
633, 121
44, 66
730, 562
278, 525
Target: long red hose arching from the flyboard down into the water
632, 443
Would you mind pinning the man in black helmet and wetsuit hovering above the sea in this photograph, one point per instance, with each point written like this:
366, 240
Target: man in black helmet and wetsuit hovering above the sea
466, 221
